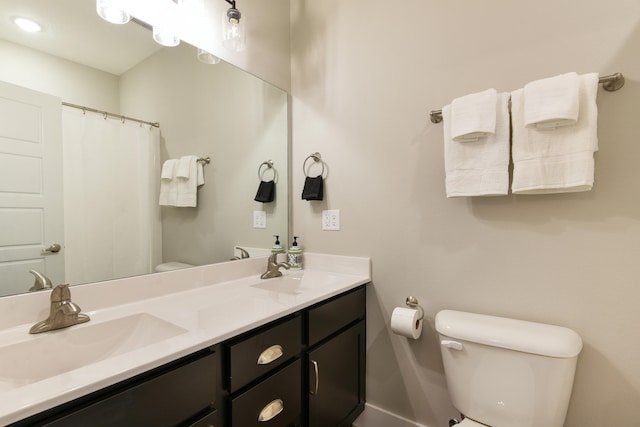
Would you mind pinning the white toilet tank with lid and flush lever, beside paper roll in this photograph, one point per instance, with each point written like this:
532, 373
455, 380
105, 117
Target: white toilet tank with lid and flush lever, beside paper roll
507, 373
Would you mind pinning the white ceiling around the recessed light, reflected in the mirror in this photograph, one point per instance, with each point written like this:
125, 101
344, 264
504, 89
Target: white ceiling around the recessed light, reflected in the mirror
74, 31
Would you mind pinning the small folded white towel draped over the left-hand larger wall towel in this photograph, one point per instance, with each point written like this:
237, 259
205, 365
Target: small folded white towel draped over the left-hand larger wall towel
473, 116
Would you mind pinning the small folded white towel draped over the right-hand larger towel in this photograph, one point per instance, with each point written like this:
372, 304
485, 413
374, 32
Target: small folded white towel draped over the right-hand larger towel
553, 102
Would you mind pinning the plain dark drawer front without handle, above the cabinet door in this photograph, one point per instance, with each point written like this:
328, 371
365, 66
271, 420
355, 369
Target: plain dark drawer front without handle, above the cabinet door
327, 318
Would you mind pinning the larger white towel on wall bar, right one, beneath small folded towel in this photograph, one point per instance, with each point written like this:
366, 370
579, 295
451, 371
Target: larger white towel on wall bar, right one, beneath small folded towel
560, 160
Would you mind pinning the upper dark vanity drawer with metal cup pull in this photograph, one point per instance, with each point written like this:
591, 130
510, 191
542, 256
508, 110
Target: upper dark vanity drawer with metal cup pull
261, 352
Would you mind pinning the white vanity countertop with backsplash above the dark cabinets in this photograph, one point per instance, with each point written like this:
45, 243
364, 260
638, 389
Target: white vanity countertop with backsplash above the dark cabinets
220, 302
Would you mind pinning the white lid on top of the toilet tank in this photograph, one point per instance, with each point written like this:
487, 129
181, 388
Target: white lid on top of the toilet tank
512, 334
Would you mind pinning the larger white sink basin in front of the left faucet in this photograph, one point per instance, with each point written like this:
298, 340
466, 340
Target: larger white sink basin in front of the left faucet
52, 353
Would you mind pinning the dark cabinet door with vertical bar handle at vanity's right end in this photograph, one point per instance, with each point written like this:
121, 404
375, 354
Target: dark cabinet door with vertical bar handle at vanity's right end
336, 379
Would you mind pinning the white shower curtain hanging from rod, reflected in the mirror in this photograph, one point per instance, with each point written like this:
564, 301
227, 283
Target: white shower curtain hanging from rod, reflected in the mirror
111, 213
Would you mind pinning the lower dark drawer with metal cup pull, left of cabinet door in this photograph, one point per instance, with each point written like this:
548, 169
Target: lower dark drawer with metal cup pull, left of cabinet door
275, 402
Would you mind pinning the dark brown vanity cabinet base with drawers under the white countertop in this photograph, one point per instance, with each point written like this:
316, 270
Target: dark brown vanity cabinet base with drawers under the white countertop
306, 369
